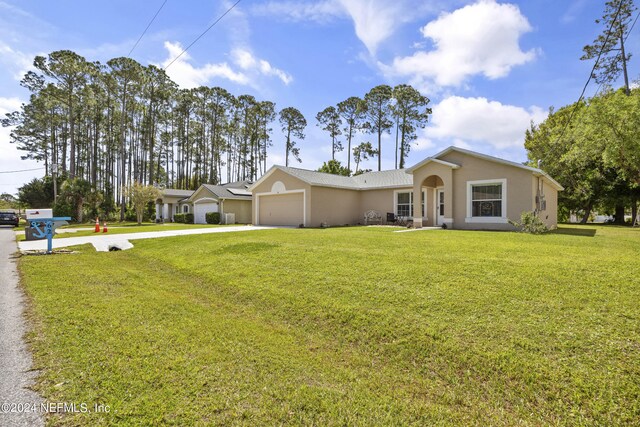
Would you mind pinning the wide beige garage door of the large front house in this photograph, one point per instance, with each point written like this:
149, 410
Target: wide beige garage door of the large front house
281, 209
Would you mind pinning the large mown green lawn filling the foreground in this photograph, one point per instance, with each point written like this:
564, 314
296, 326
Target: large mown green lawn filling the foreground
348, 326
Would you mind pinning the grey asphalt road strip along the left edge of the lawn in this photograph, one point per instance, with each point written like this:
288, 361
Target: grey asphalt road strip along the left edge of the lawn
19, 406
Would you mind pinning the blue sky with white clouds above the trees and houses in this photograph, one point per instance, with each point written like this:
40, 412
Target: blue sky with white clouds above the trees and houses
489, 67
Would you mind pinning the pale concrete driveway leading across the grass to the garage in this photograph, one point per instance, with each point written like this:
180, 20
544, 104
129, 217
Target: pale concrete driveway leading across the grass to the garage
102, 242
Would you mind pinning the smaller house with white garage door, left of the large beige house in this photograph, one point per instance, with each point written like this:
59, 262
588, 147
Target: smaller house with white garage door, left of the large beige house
233, 198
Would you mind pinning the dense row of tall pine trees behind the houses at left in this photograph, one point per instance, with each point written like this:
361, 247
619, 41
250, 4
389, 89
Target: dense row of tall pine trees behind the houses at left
120, 122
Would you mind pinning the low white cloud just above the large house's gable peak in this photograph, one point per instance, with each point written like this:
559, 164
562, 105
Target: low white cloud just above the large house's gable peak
463, 121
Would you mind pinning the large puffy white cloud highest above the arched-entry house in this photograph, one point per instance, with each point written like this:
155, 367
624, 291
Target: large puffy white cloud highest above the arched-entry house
481, 38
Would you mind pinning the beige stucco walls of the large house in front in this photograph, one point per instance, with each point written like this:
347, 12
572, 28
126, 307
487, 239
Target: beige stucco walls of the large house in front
342, 206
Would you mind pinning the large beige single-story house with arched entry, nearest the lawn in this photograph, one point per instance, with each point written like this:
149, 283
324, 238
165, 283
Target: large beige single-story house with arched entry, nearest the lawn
456, 187
